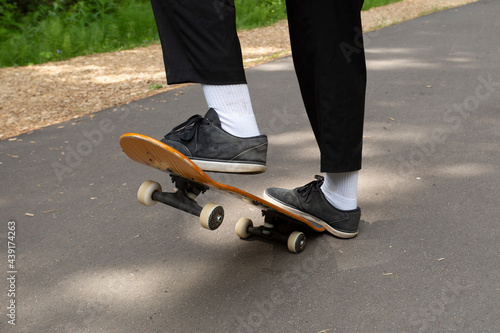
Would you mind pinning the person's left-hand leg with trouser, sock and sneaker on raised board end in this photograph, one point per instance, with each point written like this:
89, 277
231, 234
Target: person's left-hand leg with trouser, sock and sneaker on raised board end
200, 45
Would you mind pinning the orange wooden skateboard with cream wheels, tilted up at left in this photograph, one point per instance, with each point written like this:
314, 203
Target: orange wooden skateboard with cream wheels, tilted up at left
190, 181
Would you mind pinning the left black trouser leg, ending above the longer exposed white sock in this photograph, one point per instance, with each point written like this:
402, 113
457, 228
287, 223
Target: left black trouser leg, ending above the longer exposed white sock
199, 41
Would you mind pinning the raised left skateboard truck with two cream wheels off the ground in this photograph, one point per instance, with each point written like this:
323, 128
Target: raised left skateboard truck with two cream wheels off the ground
211, 215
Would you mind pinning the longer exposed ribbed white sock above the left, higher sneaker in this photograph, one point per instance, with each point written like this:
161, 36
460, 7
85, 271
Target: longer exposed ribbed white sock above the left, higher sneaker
234, 108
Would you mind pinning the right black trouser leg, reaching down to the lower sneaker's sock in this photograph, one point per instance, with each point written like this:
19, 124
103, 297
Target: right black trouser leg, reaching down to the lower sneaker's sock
332, 81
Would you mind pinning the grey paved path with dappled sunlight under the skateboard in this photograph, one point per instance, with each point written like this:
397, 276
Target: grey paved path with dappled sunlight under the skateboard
92, 259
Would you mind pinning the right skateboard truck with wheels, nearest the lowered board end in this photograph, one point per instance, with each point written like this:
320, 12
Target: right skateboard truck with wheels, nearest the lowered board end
296, 241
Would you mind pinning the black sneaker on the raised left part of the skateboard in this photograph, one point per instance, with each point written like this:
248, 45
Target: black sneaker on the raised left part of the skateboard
203, 141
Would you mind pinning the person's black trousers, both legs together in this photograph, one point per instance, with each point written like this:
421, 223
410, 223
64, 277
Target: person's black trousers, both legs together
200, 44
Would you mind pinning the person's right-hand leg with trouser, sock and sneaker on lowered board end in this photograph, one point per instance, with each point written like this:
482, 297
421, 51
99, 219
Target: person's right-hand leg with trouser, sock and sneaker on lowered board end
328, 54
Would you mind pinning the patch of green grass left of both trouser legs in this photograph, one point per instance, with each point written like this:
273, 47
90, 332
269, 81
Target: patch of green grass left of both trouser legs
89, 27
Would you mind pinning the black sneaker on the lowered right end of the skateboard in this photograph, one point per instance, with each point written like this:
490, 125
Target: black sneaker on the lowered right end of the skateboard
309, 202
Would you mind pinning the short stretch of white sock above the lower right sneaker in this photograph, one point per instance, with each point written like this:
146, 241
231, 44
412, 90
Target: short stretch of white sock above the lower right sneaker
340, 189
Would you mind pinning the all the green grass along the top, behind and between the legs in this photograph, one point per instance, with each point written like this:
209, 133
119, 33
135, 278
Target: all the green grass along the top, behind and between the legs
60, 31
